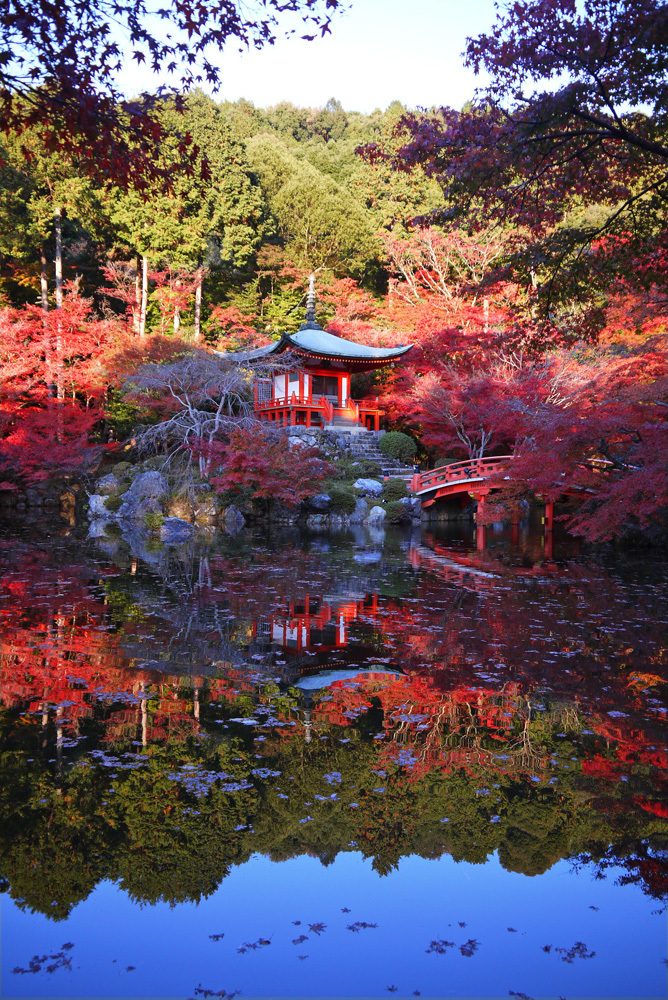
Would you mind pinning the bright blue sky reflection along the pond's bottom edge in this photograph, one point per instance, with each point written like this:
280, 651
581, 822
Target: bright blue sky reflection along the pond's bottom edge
421, 902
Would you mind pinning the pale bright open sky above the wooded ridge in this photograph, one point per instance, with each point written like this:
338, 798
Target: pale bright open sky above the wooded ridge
379, 51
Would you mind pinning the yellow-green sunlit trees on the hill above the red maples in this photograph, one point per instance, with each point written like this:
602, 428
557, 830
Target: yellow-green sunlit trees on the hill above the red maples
265, 180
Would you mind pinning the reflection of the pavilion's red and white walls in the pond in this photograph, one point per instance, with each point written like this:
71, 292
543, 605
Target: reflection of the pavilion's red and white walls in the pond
314, 621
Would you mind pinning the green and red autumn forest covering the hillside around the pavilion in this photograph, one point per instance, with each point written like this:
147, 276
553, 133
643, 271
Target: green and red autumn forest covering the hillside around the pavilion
519, 244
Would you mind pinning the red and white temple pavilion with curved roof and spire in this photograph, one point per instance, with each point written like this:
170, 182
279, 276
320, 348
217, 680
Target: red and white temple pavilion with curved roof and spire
317, 392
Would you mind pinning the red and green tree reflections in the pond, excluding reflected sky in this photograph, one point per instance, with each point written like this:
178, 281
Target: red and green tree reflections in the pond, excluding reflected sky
81, 658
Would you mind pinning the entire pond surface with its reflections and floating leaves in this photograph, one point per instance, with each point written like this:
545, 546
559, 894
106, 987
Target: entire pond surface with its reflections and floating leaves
355, 765
